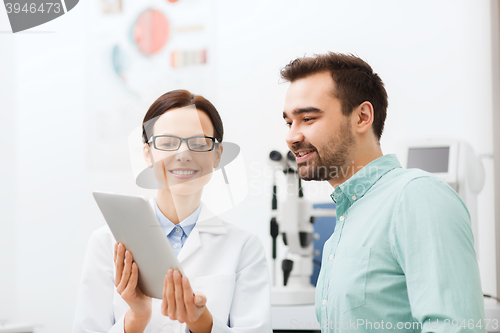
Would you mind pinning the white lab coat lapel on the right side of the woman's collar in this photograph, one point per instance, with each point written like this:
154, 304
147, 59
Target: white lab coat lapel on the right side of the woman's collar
207, 223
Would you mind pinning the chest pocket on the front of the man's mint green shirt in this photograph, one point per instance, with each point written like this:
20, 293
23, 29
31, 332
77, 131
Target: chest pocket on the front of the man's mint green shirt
348, 278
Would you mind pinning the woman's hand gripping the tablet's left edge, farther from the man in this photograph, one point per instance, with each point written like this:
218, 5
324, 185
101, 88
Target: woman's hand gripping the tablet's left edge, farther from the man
126, 277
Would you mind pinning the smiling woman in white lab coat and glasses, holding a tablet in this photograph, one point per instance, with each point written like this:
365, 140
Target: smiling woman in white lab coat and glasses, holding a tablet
226, 266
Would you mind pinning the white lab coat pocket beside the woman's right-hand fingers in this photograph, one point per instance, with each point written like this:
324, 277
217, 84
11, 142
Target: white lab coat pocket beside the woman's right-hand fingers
219, 290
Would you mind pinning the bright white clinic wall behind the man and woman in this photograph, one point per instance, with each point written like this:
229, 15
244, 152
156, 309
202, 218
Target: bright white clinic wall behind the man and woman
67, 111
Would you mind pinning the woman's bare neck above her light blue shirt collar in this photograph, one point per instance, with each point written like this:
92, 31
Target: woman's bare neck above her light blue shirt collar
177, 207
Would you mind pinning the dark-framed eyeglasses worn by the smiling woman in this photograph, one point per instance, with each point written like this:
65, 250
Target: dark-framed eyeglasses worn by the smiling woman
173, 143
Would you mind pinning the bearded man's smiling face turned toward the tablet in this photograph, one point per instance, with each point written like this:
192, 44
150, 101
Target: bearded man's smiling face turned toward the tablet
320, 136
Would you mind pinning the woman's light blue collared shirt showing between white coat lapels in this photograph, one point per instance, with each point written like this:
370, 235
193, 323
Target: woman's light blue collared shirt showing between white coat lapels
177, 233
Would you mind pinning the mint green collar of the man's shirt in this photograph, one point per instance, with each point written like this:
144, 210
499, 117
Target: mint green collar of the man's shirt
355, 187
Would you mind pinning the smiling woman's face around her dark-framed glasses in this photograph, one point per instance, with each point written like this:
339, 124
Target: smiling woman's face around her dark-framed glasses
183, 172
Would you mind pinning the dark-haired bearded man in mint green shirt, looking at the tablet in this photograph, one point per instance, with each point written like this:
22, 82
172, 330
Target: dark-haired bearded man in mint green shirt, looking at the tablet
401, 257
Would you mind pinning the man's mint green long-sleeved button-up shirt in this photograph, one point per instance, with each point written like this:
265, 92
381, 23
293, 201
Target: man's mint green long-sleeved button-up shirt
401, 257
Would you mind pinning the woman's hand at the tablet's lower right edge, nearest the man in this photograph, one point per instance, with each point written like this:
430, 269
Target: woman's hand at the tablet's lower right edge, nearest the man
180, 303
